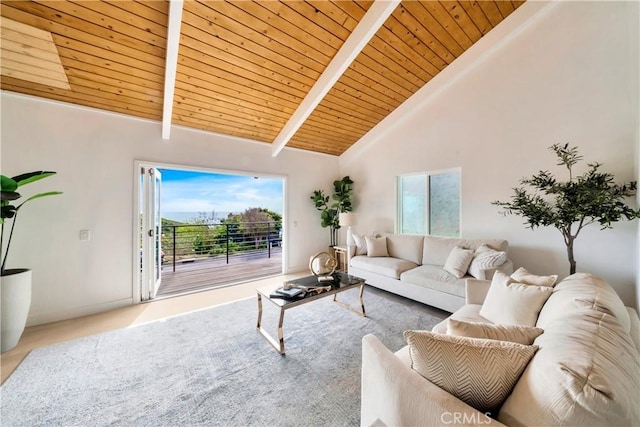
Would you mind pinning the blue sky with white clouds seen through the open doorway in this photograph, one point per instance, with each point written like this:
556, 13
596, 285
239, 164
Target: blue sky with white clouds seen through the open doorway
189, 191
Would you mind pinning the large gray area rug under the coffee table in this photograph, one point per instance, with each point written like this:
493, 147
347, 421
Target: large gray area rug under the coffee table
212, 368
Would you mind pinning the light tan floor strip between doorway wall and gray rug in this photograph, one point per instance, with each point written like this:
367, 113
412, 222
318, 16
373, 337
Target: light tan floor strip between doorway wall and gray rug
52, 333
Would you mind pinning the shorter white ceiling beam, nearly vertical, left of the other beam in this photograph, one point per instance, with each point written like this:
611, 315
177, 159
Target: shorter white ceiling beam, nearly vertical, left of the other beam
173, 43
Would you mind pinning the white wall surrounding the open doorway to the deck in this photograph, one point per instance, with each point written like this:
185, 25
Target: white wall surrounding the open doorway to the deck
94, 153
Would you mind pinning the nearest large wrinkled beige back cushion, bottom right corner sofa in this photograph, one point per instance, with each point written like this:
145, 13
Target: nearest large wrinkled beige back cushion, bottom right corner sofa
586, 373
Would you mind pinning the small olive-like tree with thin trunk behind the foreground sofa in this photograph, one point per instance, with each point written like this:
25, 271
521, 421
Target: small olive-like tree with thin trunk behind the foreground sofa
569, 206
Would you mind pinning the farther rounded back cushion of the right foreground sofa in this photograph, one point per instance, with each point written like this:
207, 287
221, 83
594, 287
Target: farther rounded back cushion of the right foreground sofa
582, 291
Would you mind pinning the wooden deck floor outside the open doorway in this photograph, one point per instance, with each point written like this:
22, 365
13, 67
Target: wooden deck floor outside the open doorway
214, 272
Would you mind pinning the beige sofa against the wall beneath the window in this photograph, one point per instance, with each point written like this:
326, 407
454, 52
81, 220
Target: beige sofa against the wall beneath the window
414, 268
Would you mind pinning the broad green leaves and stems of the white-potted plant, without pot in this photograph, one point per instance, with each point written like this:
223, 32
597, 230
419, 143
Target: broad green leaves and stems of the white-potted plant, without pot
9, 206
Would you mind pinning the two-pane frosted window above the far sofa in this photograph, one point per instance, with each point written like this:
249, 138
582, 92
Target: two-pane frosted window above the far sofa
429, 203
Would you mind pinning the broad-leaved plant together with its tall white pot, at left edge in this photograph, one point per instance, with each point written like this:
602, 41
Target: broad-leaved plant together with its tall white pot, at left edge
15, 285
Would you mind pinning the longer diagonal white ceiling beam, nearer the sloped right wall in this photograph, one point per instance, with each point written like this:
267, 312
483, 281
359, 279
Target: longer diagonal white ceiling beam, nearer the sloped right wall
364, 31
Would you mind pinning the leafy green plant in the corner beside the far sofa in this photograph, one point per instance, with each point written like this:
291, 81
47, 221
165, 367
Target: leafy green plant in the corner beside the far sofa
329, 213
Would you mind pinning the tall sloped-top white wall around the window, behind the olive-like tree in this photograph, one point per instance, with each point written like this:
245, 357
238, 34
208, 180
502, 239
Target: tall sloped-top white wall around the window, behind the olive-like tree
550, 73
